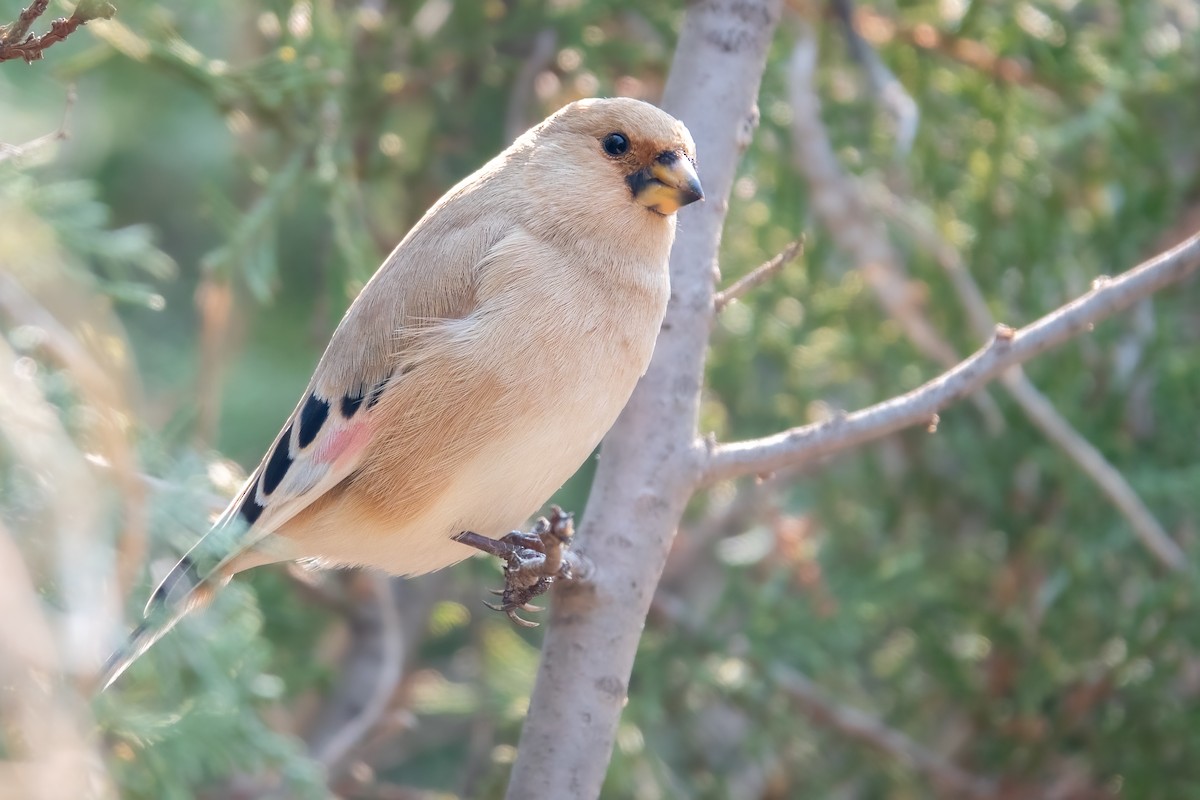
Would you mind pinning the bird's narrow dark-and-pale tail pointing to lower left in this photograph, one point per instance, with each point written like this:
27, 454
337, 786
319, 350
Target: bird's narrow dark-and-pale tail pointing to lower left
182, 592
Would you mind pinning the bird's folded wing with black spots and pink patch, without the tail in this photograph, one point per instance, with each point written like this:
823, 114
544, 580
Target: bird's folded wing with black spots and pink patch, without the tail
326, 437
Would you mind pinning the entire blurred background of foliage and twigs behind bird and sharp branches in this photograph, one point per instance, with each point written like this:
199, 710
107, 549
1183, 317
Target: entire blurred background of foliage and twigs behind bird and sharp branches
952, 613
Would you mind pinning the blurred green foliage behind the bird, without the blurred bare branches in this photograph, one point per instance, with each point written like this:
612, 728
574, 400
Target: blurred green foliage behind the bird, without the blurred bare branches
970, 588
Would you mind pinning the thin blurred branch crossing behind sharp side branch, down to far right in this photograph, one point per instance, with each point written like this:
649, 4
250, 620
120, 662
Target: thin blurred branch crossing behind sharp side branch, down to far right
1036, 406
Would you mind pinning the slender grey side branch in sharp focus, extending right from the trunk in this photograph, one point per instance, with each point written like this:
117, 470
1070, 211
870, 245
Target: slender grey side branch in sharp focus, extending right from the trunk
1006, 350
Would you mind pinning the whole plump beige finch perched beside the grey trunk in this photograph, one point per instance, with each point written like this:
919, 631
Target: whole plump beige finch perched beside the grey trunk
476, 371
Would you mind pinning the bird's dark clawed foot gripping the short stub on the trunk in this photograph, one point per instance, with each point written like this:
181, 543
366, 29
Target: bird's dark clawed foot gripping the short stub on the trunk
533, 562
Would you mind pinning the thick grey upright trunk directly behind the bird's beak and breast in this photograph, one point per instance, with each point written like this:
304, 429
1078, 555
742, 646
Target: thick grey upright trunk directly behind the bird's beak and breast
649, 464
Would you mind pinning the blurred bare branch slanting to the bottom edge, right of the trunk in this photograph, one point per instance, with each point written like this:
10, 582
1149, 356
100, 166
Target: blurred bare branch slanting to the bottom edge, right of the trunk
875, 733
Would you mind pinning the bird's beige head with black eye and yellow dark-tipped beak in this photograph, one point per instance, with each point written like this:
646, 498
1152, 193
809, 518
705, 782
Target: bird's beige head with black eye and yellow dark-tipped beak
620, 154
